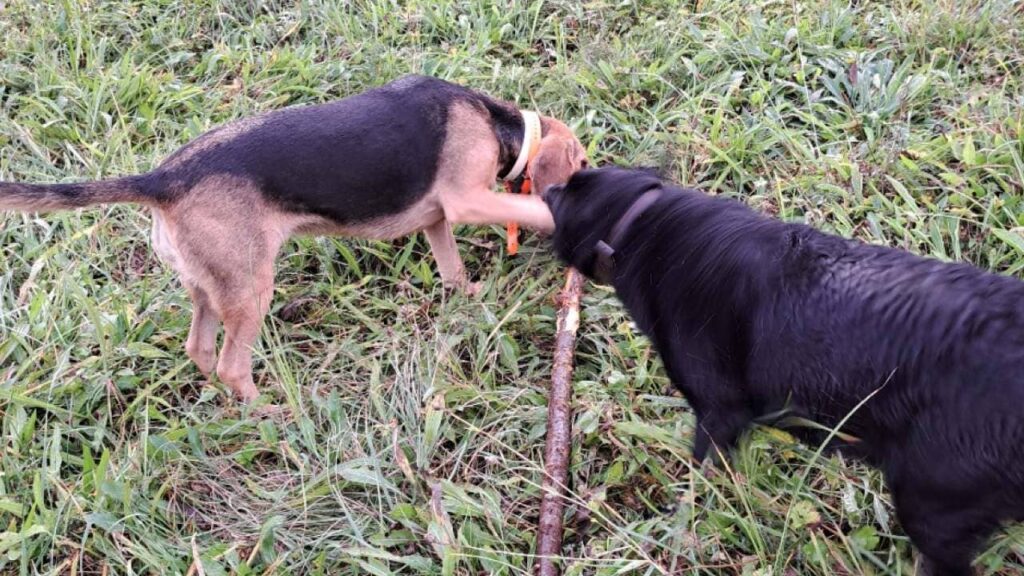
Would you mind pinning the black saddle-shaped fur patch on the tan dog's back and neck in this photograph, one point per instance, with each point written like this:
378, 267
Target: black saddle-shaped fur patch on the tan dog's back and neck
351, 160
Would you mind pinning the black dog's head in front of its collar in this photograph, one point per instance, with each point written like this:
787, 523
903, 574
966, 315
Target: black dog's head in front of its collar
587, 209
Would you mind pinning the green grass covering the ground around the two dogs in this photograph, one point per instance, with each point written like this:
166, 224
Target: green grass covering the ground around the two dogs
895, 122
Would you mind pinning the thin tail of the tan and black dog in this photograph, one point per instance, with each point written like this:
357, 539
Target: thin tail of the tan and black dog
41, 198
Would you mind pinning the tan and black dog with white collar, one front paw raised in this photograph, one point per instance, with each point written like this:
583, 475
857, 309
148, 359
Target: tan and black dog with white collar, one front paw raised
416, 154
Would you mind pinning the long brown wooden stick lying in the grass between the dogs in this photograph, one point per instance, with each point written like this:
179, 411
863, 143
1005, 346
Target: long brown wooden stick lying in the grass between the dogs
559, 444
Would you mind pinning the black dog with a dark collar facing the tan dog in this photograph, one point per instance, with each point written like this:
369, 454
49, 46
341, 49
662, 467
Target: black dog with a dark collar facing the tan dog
925, 360
